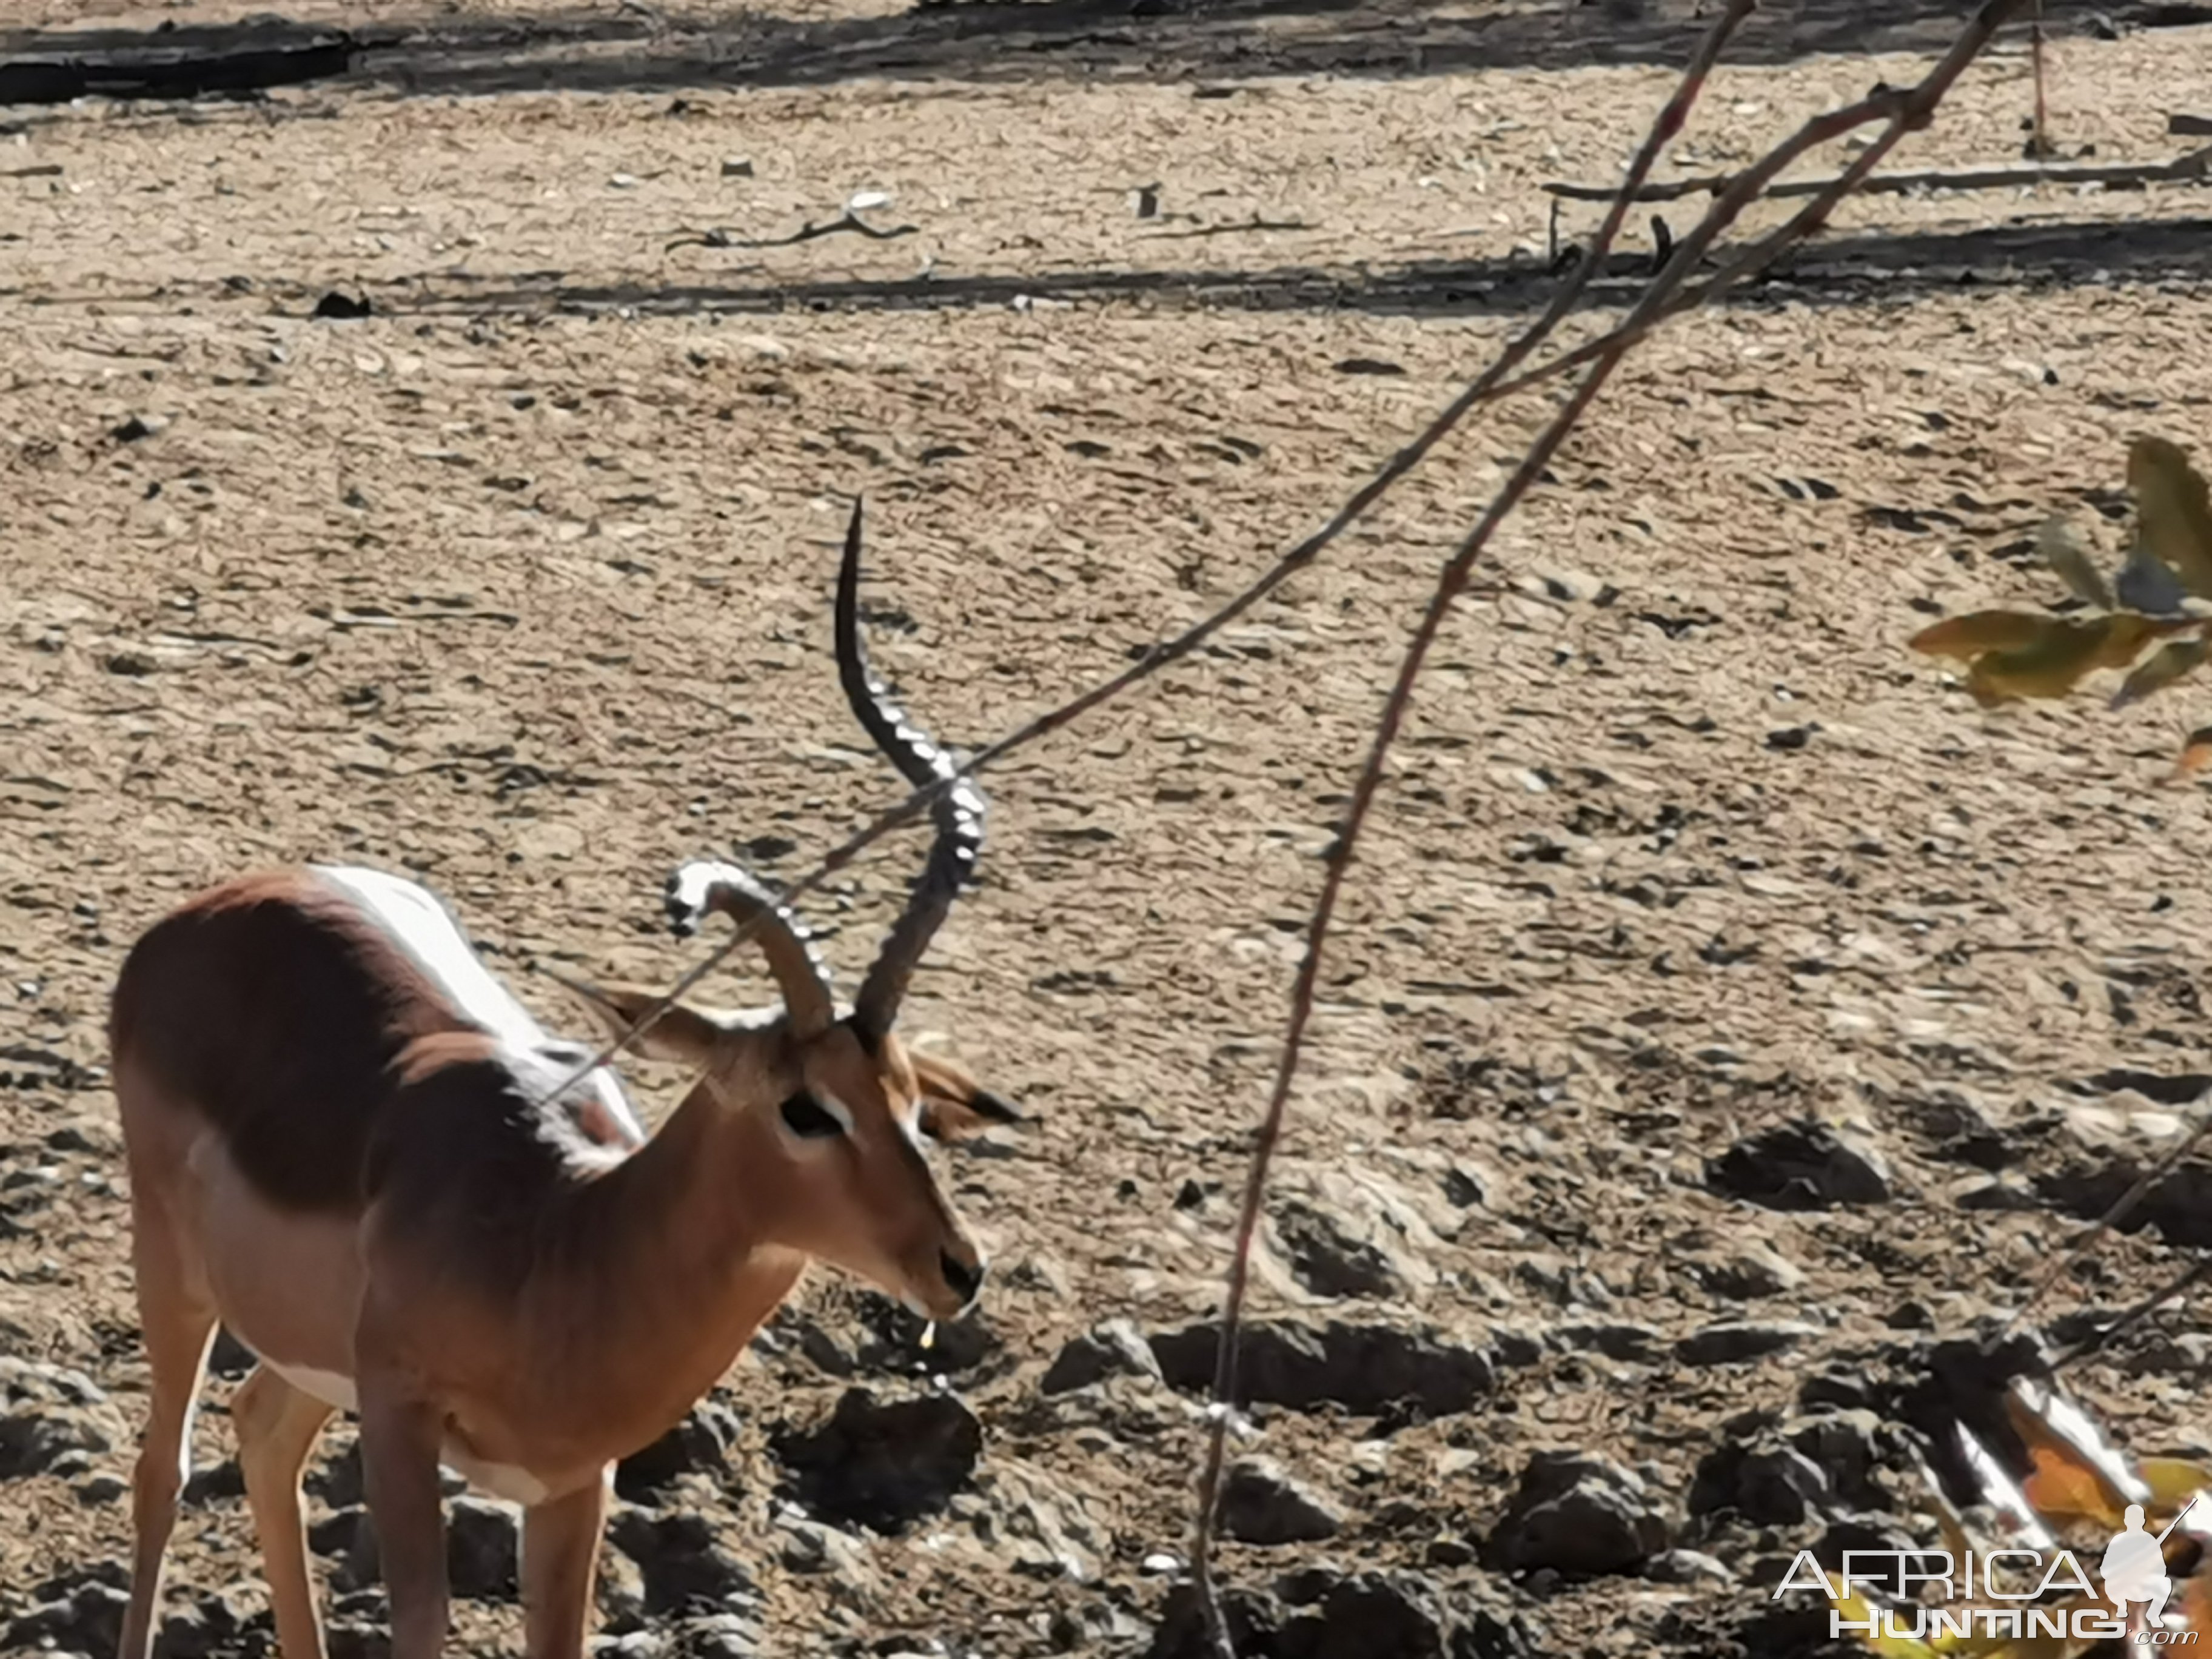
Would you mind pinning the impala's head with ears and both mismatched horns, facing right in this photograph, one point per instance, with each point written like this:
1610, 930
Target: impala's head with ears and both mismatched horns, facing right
833, 1114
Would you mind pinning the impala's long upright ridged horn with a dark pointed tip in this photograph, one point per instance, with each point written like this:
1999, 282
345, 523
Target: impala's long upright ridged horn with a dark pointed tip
957, 813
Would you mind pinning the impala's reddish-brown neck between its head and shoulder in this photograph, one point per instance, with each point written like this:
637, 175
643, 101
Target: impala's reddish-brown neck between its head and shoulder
665, 1275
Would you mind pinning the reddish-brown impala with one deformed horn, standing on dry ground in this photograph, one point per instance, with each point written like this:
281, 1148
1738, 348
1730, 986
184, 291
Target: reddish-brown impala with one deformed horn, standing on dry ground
359, 1154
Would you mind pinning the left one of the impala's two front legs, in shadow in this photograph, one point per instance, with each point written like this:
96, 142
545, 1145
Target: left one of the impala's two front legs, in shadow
399, 1463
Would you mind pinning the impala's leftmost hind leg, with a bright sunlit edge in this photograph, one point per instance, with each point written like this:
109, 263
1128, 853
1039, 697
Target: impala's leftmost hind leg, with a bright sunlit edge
178, 1324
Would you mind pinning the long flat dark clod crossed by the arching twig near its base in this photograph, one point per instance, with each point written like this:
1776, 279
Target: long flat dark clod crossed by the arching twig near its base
1359, 1368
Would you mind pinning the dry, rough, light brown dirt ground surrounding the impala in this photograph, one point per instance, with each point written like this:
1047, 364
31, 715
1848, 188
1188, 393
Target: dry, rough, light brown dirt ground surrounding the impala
523, 585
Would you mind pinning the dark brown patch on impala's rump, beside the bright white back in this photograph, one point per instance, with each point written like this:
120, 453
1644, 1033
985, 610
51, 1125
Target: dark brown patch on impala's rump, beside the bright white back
275, 1010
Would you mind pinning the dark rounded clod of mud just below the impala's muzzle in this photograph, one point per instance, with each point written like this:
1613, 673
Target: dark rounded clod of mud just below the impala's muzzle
884, 1463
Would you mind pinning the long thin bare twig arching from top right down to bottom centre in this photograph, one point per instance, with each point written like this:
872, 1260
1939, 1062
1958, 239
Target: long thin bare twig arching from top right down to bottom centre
1903, 112
